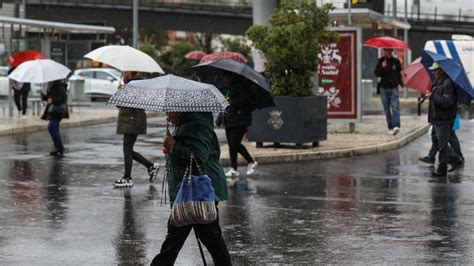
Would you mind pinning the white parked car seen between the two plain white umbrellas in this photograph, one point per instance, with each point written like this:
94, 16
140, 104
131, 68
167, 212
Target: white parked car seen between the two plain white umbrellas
97, 82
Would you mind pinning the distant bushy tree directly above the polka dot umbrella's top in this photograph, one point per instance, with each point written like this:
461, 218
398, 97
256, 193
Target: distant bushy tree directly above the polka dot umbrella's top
175, 59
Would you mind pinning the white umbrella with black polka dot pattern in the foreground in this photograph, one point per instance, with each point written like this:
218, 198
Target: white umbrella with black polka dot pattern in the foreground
170, 94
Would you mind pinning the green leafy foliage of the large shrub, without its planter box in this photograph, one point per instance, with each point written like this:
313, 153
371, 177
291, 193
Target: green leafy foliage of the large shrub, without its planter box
292, 45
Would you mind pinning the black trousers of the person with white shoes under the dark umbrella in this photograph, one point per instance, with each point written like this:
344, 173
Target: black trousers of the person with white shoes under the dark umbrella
234, 139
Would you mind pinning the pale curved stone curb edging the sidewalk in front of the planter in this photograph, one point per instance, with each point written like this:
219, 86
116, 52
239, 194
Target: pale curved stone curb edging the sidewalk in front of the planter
333, 154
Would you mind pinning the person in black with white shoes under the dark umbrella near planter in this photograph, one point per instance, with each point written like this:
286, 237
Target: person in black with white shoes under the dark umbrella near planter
236, 120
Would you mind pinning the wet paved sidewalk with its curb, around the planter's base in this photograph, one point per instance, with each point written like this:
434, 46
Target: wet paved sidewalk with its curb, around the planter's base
370, 136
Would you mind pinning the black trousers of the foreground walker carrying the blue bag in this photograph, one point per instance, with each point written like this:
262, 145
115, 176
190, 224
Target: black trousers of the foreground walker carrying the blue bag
209, 234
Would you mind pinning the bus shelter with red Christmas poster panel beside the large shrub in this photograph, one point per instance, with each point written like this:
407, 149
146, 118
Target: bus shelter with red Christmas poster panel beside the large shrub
345, 72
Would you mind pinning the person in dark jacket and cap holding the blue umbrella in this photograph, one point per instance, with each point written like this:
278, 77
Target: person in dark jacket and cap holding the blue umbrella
441, 114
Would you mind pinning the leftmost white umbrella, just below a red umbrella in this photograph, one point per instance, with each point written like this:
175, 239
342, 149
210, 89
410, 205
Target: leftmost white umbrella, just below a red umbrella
39, 71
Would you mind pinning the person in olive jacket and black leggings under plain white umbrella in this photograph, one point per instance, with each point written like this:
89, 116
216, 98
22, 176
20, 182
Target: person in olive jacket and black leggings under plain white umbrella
131, 123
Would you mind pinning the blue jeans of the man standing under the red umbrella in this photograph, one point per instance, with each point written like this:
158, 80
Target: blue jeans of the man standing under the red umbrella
391, 106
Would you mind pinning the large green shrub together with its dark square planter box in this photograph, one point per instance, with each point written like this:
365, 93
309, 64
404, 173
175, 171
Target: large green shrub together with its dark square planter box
291, 47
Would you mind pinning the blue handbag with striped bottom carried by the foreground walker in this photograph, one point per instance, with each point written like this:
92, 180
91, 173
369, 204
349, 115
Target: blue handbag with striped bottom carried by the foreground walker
195, 200
